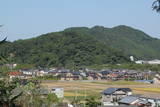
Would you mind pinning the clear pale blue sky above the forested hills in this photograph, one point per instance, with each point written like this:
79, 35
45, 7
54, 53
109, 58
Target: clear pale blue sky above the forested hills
24, 19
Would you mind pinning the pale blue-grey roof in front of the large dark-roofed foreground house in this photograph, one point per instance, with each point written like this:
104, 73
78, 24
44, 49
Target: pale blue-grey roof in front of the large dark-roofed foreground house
128, 99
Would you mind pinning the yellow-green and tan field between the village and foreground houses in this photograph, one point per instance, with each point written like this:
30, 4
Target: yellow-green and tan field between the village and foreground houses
93, 88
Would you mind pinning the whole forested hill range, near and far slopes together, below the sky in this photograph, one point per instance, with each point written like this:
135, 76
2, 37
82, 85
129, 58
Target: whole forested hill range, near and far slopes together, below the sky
83, 46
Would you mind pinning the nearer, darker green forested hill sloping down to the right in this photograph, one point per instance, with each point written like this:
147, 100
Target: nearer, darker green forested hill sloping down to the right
66, 48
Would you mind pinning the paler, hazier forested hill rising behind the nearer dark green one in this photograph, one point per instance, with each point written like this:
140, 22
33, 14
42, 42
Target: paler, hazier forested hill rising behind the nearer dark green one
129, 40
